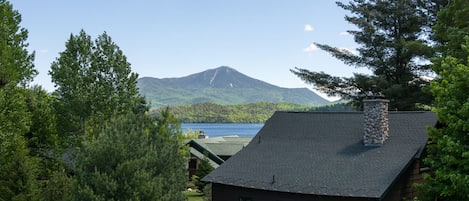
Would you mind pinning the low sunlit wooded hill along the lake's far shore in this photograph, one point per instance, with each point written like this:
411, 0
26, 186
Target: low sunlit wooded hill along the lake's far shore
244, 113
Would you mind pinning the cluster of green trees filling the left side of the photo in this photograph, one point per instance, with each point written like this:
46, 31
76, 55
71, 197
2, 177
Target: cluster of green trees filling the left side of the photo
91, 139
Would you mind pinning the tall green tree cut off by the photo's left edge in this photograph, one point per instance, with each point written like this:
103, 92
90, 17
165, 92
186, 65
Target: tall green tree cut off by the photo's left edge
18, 170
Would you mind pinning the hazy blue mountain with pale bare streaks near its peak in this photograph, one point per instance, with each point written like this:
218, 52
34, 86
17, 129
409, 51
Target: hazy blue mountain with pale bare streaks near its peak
223, 85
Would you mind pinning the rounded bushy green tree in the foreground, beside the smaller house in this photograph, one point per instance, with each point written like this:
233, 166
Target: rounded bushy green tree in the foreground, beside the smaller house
133, 157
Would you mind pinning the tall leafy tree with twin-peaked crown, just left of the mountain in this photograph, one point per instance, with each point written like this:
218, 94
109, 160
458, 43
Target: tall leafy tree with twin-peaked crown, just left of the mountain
94, 82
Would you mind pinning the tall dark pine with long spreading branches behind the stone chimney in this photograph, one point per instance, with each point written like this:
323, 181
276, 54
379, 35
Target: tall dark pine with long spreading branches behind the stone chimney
391, 35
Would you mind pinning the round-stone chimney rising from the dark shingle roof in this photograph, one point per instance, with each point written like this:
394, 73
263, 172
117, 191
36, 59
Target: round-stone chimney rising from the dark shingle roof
376, 122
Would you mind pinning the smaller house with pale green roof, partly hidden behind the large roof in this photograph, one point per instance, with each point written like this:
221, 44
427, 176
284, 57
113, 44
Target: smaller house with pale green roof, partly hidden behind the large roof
216, 150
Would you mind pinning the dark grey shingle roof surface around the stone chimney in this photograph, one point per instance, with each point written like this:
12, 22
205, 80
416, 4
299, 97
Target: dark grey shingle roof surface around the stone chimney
323, 154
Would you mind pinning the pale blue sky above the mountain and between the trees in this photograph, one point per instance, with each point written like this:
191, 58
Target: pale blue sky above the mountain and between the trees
260, 38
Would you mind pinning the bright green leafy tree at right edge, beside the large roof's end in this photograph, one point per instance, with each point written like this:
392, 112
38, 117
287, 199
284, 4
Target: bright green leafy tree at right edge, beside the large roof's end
449, 145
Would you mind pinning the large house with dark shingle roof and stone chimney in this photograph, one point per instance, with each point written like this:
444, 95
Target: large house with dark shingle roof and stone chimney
354, 156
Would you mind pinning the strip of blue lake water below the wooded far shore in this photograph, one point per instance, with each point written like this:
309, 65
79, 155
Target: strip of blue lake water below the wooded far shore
223, 129
